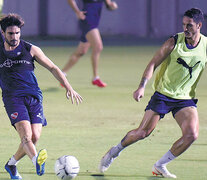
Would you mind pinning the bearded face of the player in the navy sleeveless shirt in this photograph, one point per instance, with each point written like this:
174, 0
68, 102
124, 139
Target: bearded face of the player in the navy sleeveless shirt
12, 36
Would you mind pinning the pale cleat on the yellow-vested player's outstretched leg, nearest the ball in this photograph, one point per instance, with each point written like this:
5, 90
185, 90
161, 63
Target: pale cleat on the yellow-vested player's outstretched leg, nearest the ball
106, 161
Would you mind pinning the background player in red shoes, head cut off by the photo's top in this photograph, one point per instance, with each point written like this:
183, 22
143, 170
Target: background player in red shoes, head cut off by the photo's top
89, 18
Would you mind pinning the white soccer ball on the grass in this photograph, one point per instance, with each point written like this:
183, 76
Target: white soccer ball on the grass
67, 167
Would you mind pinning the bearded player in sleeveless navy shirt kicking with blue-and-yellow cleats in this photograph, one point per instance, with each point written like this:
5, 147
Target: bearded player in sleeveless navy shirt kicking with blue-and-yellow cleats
21, 94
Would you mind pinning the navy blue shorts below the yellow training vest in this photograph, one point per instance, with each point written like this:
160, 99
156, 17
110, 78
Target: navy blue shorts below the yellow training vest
162, 104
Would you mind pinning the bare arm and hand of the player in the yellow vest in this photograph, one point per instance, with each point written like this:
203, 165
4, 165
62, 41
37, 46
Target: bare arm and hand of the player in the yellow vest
158, 58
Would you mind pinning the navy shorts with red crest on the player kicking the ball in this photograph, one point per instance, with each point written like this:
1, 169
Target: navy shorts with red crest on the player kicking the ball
25, 108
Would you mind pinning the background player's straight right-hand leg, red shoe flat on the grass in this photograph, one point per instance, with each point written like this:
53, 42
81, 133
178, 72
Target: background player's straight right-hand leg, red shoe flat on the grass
94, 38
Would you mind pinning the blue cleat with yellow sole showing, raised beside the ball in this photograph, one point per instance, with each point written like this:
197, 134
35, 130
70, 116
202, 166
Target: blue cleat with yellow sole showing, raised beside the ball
40, 162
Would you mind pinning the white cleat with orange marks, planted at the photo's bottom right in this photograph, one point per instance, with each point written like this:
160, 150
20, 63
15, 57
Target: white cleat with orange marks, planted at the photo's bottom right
162, 171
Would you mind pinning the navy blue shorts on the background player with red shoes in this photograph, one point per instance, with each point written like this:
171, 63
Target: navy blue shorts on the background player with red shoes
93, 14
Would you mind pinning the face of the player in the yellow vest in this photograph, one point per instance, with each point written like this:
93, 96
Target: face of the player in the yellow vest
190, 27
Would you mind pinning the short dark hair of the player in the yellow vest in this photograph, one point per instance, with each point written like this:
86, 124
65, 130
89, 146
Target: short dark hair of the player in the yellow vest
196, 14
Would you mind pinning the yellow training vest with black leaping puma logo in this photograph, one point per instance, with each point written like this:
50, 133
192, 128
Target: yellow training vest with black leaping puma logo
181, 70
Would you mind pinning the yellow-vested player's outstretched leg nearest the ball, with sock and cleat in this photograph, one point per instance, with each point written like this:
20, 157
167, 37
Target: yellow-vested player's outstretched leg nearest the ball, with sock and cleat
147, 125
